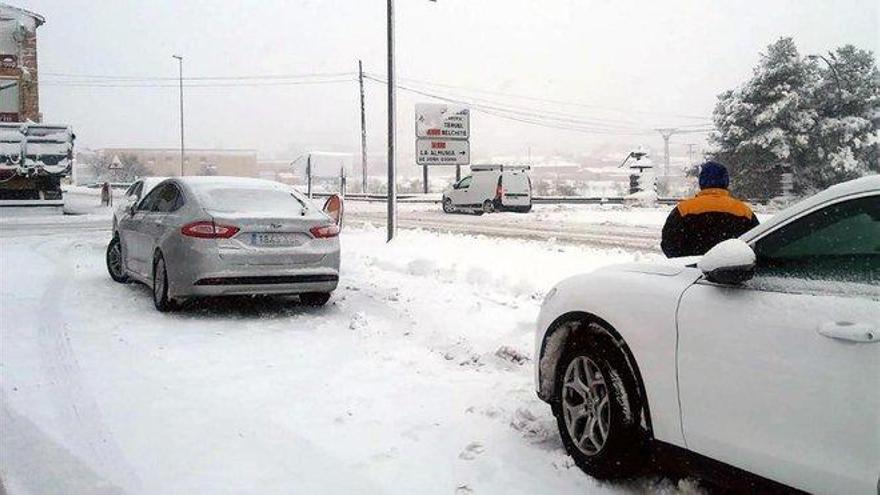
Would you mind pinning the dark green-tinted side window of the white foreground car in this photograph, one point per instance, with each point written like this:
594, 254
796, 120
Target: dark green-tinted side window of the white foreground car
840, 242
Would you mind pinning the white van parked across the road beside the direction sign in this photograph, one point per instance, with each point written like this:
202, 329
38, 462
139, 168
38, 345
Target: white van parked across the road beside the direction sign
491, 188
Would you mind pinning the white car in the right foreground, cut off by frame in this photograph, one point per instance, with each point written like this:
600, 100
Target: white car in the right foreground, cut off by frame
761, 357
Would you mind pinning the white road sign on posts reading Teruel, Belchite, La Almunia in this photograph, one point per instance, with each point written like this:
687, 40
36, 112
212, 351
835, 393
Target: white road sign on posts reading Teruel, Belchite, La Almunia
442, 137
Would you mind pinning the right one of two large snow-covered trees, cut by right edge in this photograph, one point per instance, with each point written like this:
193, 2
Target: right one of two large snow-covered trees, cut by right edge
845, 141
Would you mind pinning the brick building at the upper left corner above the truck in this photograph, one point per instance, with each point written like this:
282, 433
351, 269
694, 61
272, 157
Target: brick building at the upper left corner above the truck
19, 84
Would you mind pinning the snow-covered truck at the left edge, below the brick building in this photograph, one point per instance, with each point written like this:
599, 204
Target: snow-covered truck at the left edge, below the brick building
33, 160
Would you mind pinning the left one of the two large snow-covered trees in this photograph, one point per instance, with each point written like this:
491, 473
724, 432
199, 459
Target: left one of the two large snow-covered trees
763, 127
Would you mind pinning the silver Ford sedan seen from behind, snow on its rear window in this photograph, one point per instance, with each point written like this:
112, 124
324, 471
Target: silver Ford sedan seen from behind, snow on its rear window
214, 236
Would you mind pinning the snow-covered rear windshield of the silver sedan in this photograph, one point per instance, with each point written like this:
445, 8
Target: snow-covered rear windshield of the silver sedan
251, 200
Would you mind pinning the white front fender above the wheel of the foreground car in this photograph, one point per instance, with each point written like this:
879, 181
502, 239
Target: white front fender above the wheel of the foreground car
639, 302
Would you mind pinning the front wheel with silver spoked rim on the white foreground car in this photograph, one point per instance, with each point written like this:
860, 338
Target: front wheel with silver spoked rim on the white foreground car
604, 436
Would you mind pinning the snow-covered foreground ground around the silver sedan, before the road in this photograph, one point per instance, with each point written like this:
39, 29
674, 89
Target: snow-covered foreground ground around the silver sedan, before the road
415, 378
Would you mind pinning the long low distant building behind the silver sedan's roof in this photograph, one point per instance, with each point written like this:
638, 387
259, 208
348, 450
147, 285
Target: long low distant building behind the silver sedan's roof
166, 161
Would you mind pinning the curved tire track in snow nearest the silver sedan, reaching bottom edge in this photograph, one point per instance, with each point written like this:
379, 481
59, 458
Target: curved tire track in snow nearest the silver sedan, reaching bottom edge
73, 404
